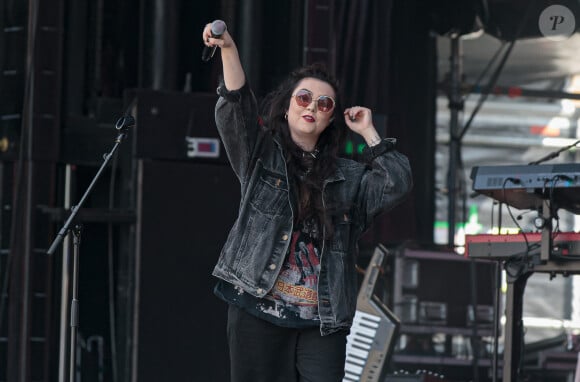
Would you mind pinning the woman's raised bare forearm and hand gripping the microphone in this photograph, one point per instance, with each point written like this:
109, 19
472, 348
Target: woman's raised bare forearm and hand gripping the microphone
234, 77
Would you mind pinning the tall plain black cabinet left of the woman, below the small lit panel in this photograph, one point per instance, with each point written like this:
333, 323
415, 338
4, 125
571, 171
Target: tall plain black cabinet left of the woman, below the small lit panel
184, 213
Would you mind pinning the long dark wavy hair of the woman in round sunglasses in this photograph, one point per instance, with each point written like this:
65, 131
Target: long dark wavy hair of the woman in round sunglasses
306, 174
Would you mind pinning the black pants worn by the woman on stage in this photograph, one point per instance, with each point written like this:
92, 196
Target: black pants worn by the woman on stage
263, 352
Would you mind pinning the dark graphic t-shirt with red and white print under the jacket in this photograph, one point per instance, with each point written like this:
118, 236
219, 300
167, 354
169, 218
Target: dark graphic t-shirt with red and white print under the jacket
293, 300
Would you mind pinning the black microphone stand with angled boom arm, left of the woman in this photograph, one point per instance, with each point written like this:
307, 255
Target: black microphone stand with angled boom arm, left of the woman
122, 126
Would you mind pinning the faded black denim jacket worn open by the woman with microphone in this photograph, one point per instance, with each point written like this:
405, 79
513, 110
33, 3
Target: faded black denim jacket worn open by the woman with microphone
258, 241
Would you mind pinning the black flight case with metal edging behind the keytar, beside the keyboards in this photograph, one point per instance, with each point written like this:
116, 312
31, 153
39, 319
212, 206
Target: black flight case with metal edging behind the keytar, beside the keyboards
438, 288
